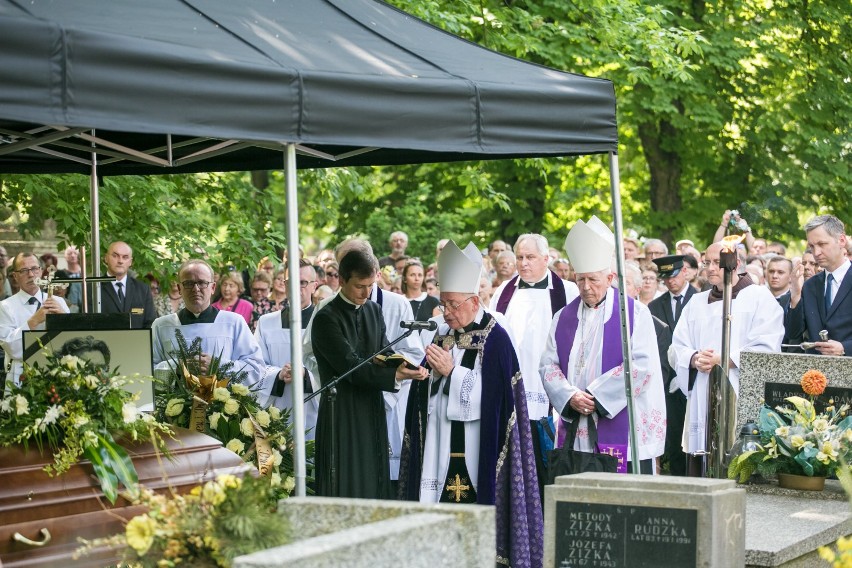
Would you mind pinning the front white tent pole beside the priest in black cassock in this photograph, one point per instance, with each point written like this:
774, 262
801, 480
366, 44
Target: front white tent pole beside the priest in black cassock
293, 292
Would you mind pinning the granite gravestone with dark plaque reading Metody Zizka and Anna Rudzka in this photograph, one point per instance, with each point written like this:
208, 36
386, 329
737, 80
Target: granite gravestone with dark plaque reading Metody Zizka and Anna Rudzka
608, 520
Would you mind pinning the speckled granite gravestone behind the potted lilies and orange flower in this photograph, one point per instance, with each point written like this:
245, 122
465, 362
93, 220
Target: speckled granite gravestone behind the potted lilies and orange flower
772, 377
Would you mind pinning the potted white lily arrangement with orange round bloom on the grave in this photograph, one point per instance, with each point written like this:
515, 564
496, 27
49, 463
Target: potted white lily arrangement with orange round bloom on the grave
798, 442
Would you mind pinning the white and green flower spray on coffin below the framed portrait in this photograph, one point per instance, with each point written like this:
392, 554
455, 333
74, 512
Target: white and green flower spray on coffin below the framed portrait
77, 409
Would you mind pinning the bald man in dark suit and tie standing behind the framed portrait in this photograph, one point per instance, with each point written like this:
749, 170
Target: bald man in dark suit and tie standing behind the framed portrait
126, 294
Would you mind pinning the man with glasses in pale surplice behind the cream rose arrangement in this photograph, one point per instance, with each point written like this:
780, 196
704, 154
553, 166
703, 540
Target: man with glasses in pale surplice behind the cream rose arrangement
221, 332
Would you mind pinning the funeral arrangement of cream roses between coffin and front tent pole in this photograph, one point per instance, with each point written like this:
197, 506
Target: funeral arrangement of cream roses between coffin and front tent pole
218, 404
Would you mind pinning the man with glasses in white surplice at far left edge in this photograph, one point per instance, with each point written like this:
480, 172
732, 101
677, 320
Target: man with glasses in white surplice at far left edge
24, 311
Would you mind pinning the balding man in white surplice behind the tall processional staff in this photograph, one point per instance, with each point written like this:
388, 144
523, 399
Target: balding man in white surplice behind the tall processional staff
757, 324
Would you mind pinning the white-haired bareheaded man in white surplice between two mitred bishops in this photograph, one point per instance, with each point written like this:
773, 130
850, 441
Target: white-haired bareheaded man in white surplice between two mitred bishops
529, 300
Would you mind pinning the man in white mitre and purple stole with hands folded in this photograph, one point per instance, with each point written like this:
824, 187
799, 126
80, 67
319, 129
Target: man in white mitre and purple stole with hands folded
582, 366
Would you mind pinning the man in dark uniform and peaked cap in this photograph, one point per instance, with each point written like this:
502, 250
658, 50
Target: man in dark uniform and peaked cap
668, 308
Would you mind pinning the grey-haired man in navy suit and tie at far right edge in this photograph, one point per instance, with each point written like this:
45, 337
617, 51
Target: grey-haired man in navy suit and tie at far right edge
824, 301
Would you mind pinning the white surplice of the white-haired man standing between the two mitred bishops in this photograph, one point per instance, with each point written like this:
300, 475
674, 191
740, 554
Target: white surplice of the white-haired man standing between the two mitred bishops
529, 315
